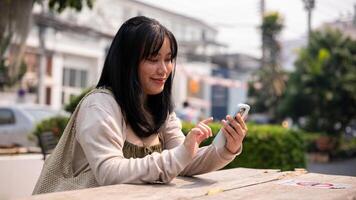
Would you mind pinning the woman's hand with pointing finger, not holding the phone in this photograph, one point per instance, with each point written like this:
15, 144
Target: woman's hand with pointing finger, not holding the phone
200, 132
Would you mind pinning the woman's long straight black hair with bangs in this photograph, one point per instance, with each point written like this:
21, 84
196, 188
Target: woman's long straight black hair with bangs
138, 38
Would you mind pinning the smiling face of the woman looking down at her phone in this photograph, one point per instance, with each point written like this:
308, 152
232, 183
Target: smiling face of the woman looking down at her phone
154, 71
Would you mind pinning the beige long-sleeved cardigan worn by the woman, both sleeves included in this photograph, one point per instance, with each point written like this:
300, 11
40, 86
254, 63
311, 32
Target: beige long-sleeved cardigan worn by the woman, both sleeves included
102, 132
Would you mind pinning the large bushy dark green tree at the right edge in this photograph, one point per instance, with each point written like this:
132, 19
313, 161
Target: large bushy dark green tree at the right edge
322, 90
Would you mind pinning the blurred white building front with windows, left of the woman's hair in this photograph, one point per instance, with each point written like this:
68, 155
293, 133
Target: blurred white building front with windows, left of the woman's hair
73, 58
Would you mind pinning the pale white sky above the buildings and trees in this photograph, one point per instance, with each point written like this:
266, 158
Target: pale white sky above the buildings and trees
237, 20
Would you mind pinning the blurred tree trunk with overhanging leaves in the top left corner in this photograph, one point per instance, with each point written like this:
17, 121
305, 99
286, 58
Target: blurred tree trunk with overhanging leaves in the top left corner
15, 22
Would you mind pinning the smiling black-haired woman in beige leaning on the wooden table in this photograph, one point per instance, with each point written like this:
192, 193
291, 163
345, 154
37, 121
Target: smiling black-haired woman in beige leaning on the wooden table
125, 130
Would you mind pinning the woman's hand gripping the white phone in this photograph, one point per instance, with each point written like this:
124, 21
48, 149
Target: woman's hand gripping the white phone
234, 133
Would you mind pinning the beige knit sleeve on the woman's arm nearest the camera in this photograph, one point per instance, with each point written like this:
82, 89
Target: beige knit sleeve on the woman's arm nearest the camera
100, 133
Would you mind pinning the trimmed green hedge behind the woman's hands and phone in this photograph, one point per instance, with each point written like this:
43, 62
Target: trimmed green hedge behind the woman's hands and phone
266, 146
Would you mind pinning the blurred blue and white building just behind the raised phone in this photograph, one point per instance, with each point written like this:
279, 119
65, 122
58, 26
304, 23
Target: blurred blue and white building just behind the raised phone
236, 71
